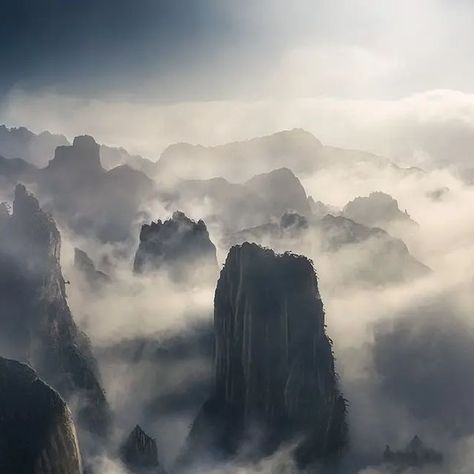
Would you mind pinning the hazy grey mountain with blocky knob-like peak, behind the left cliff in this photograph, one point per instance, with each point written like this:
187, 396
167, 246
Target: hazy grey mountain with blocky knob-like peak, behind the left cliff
92, 201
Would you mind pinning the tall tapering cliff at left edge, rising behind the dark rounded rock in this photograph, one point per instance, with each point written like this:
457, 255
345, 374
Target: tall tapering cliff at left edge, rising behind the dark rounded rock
36, 324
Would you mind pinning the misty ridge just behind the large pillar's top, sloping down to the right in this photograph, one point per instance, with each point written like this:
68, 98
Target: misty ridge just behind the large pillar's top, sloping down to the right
333, 235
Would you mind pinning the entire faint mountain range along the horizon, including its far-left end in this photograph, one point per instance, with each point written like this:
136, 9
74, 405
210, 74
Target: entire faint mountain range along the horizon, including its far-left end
296, 149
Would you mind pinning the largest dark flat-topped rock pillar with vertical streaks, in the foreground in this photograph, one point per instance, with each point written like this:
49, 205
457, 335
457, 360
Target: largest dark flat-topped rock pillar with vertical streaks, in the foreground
275, 378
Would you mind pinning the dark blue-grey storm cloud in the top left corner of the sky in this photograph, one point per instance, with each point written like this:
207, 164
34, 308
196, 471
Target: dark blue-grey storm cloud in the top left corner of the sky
92, 45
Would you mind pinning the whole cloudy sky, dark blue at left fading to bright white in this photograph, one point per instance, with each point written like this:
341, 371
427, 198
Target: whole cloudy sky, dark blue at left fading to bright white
75, 62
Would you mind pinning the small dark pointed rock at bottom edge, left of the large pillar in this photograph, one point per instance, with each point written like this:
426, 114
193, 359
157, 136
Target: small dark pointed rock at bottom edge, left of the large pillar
139, 453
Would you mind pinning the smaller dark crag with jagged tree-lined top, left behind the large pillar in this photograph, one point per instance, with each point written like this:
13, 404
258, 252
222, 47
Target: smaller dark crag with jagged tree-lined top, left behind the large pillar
179, 246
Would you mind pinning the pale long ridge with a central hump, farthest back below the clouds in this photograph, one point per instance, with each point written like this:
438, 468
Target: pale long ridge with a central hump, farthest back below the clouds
296, 149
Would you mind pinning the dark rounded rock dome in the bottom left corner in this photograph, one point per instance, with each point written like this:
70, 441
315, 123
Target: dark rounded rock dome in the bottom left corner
37, 434
